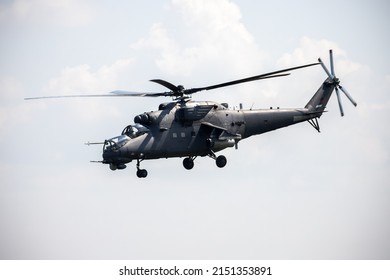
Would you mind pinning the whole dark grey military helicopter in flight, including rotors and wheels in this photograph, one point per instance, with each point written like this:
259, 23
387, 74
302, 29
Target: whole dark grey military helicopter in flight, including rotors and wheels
189, 129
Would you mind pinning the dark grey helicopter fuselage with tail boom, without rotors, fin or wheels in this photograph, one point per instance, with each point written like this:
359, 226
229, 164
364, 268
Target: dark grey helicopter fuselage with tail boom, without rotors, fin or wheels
191, 129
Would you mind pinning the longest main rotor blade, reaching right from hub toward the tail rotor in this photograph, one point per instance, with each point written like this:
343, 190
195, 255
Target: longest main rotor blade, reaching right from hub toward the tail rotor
254, 78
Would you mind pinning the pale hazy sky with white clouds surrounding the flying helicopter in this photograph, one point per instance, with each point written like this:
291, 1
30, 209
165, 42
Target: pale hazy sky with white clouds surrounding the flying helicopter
288, 194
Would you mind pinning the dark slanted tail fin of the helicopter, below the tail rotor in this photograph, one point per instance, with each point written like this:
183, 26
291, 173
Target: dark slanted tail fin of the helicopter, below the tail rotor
317, 103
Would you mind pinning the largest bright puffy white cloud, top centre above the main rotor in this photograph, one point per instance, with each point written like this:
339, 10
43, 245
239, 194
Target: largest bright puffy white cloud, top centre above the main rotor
219, 41
